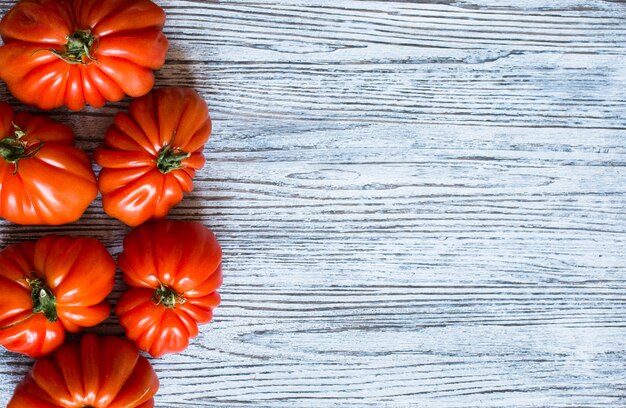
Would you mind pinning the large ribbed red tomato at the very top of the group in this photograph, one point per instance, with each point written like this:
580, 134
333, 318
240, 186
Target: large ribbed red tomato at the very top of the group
72, 52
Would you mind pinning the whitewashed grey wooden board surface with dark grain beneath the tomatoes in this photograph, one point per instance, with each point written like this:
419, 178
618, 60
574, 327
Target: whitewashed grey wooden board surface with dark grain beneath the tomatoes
421, 203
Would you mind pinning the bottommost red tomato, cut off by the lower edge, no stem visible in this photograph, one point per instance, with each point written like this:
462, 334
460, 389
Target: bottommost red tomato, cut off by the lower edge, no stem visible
102, 371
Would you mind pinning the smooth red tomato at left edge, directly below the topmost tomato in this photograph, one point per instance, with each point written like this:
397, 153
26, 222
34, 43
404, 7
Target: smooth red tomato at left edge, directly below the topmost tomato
44, 179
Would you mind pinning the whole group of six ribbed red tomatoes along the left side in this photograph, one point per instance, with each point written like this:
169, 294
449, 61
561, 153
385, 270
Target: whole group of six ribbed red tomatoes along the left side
72, 53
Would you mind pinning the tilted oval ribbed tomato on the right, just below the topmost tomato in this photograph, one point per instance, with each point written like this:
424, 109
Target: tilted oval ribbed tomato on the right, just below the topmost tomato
151, 154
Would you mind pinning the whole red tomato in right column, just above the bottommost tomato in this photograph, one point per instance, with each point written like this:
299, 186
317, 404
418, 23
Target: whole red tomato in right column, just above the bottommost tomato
173, 269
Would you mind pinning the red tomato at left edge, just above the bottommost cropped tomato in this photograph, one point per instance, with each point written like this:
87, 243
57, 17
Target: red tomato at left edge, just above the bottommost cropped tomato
54, 285
